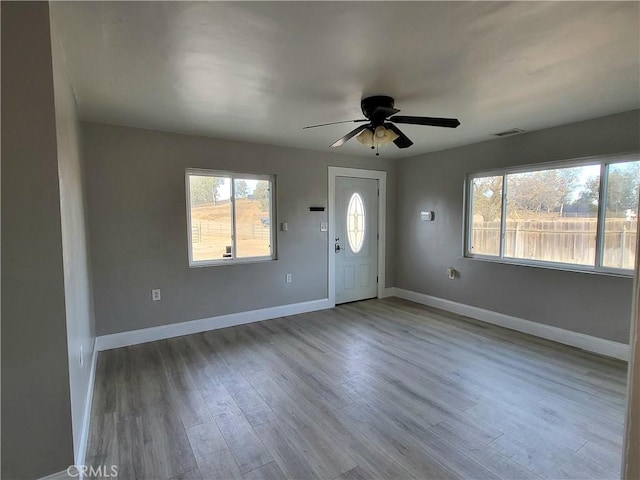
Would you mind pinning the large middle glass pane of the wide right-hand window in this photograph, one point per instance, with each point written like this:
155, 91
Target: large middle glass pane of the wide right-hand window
552, 215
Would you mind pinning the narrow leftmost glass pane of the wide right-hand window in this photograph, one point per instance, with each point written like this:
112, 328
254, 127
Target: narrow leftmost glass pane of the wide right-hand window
486, 210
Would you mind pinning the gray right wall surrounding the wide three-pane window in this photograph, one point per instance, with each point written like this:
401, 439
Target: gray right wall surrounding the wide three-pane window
593, 304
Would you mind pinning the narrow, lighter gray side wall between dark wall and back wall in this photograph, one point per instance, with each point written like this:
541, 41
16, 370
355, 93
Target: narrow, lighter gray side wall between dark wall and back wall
77, 283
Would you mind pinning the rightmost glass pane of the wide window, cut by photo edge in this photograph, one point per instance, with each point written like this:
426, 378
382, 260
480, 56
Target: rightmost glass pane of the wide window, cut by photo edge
621, 217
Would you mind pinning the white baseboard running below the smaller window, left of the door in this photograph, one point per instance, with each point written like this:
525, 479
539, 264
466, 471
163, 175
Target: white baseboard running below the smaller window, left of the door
135, 337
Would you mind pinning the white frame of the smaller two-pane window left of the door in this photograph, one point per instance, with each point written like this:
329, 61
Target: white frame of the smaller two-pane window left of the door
233, 176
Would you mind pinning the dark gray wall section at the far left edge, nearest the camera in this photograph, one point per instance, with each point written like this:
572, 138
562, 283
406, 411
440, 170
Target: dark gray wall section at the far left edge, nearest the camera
36, 414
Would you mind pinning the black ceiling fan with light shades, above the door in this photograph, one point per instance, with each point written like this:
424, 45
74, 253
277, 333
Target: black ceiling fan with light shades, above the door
381, 115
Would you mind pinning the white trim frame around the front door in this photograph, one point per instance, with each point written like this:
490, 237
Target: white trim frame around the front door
381, 177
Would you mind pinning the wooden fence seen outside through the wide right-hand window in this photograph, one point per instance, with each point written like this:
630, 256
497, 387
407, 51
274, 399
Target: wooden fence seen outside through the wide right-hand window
566, 240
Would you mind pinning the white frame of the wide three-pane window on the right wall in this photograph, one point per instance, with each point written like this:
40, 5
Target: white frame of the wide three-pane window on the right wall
598, 267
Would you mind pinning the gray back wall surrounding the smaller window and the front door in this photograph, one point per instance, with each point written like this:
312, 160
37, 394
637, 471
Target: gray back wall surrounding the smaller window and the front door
138, 230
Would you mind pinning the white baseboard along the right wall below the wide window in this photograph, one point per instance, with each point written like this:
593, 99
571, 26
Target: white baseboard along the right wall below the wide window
575, 339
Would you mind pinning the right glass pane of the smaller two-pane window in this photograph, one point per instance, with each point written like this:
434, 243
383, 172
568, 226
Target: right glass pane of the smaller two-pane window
253, 220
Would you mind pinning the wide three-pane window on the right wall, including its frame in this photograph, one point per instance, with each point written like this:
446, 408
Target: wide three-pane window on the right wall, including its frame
578, 216
